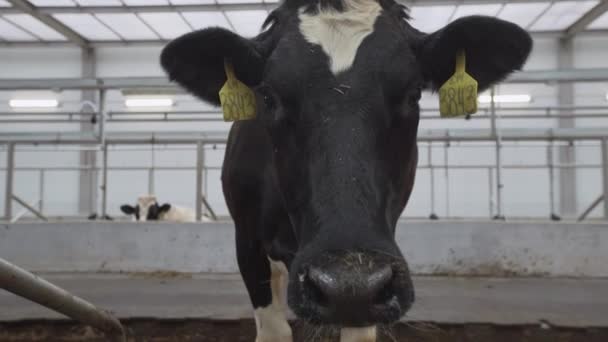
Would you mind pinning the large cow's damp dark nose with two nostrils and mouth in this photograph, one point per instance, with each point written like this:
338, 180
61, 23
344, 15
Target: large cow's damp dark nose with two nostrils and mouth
352, 298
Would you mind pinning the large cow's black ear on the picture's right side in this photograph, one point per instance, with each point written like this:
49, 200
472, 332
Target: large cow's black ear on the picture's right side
494, 48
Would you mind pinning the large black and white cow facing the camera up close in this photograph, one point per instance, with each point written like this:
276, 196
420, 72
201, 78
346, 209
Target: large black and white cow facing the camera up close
316, 183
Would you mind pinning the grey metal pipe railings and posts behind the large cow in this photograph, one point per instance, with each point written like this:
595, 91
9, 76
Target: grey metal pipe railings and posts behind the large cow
101, 139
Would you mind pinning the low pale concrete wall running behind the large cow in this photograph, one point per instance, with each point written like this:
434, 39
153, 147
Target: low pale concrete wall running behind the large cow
430, 248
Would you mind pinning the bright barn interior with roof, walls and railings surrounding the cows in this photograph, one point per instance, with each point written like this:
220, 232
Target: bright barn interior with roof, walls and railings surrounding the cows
505, 232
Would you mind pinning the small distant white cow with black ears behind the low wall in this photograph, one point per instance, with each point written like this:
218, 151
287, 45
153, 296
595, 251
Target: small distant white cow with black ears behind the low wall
147, 209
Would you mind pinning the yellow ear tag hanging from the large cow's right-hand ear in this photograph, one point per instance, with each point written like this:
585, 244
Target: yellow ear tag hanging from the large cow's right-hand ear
458, 96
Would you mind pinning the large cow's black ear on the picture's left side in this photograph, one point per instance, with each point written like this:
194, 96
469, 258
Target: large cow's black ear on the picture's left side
196, 61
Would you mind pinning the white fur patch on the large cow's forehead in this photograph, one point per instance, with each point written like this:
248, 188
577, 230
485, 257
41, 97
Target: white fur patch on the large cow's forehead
341, 33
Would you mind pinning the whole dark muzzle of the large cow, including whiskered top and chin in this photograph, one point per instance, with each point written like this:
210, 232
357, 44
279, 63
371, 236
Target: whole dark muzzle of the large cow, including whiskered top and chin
352, 289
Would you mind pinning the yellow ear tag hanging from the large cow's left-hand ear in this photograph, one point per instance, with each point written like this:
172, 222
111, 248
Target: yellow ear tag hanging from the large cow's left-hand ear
236, 98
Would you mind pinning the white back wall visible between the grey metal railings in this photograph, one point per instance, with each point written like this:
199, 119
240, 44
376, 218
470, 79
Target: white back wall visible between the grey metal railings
526, 192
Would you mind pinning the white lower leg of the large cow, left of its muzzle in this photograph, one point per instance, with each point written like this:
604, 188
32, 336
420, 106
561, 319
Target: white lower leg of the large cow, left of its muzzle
271, 321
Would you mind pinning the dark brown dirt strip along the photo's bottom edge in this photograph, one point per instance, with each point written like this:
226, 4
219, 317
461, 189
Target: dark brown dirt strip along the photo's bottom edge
235, 331
